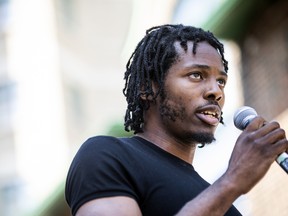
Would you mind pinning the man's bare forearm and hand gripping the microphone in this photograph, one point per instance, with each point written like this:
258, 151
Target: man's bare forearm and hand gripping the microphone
255, 150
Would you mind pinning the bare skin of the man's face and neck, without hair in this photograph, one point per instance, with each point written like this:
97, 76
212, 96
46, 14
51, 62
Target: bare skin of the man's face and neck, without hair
195, 84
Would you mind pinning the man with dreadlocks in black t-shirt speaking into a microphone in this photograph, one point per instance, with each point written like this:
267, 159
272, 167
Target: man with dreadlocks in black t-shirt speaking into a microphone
175, 82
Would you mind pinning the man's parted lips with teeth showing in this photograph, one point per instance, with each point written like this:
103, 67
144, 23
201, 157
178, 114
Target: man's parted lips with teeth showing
209, 114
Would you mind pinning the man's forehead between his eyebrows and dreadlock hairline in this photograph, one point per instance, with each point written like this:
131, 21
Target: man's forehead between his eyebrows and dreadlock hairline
205, 54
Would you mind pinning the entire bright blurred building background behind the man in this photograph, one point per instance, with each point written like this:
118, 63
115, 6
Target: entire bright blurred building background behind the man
61, 79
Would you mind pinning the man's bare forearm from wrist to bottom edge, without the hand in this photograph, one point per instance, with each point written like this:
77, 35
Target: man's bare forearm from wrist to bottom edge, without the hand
215, 200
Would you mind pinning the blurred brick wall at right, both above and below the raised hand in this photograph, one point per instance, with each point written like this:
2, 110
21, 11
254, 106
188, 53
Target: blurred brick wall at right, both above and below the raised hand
265, 84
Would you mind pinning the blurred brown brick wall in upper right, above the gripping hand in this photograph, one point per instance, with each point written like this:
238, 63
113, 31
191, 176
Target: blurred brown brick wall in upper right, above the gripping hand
265, 61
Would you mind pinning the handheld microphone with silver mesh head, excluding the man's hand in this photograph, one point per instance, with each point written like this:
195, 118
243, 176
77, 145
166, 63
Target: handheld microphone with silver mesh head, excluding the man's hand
242, 117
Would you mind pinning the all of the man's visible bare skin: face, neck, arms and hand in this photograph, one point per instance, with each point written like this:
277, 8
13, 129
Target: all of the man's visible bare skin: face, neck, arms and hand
194, 89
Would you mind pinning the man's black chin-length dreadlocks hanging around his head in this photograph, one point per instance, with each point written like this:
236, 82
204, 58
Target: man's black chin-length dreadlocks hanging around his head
149, 63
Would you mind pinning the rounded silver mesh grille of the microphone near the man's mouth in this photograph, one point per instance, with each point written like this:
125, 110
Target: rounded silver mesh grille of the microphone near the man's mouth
243, 116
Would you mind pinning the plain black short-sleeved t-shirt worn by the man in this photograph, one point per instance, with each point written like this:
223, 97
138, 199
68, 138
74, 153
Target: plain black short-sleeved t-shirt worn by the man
106, 166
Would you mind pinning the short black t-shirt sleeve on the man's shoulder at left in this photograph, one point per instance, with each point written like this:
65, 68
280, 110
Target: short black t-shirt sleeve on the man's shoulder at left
98, 170
